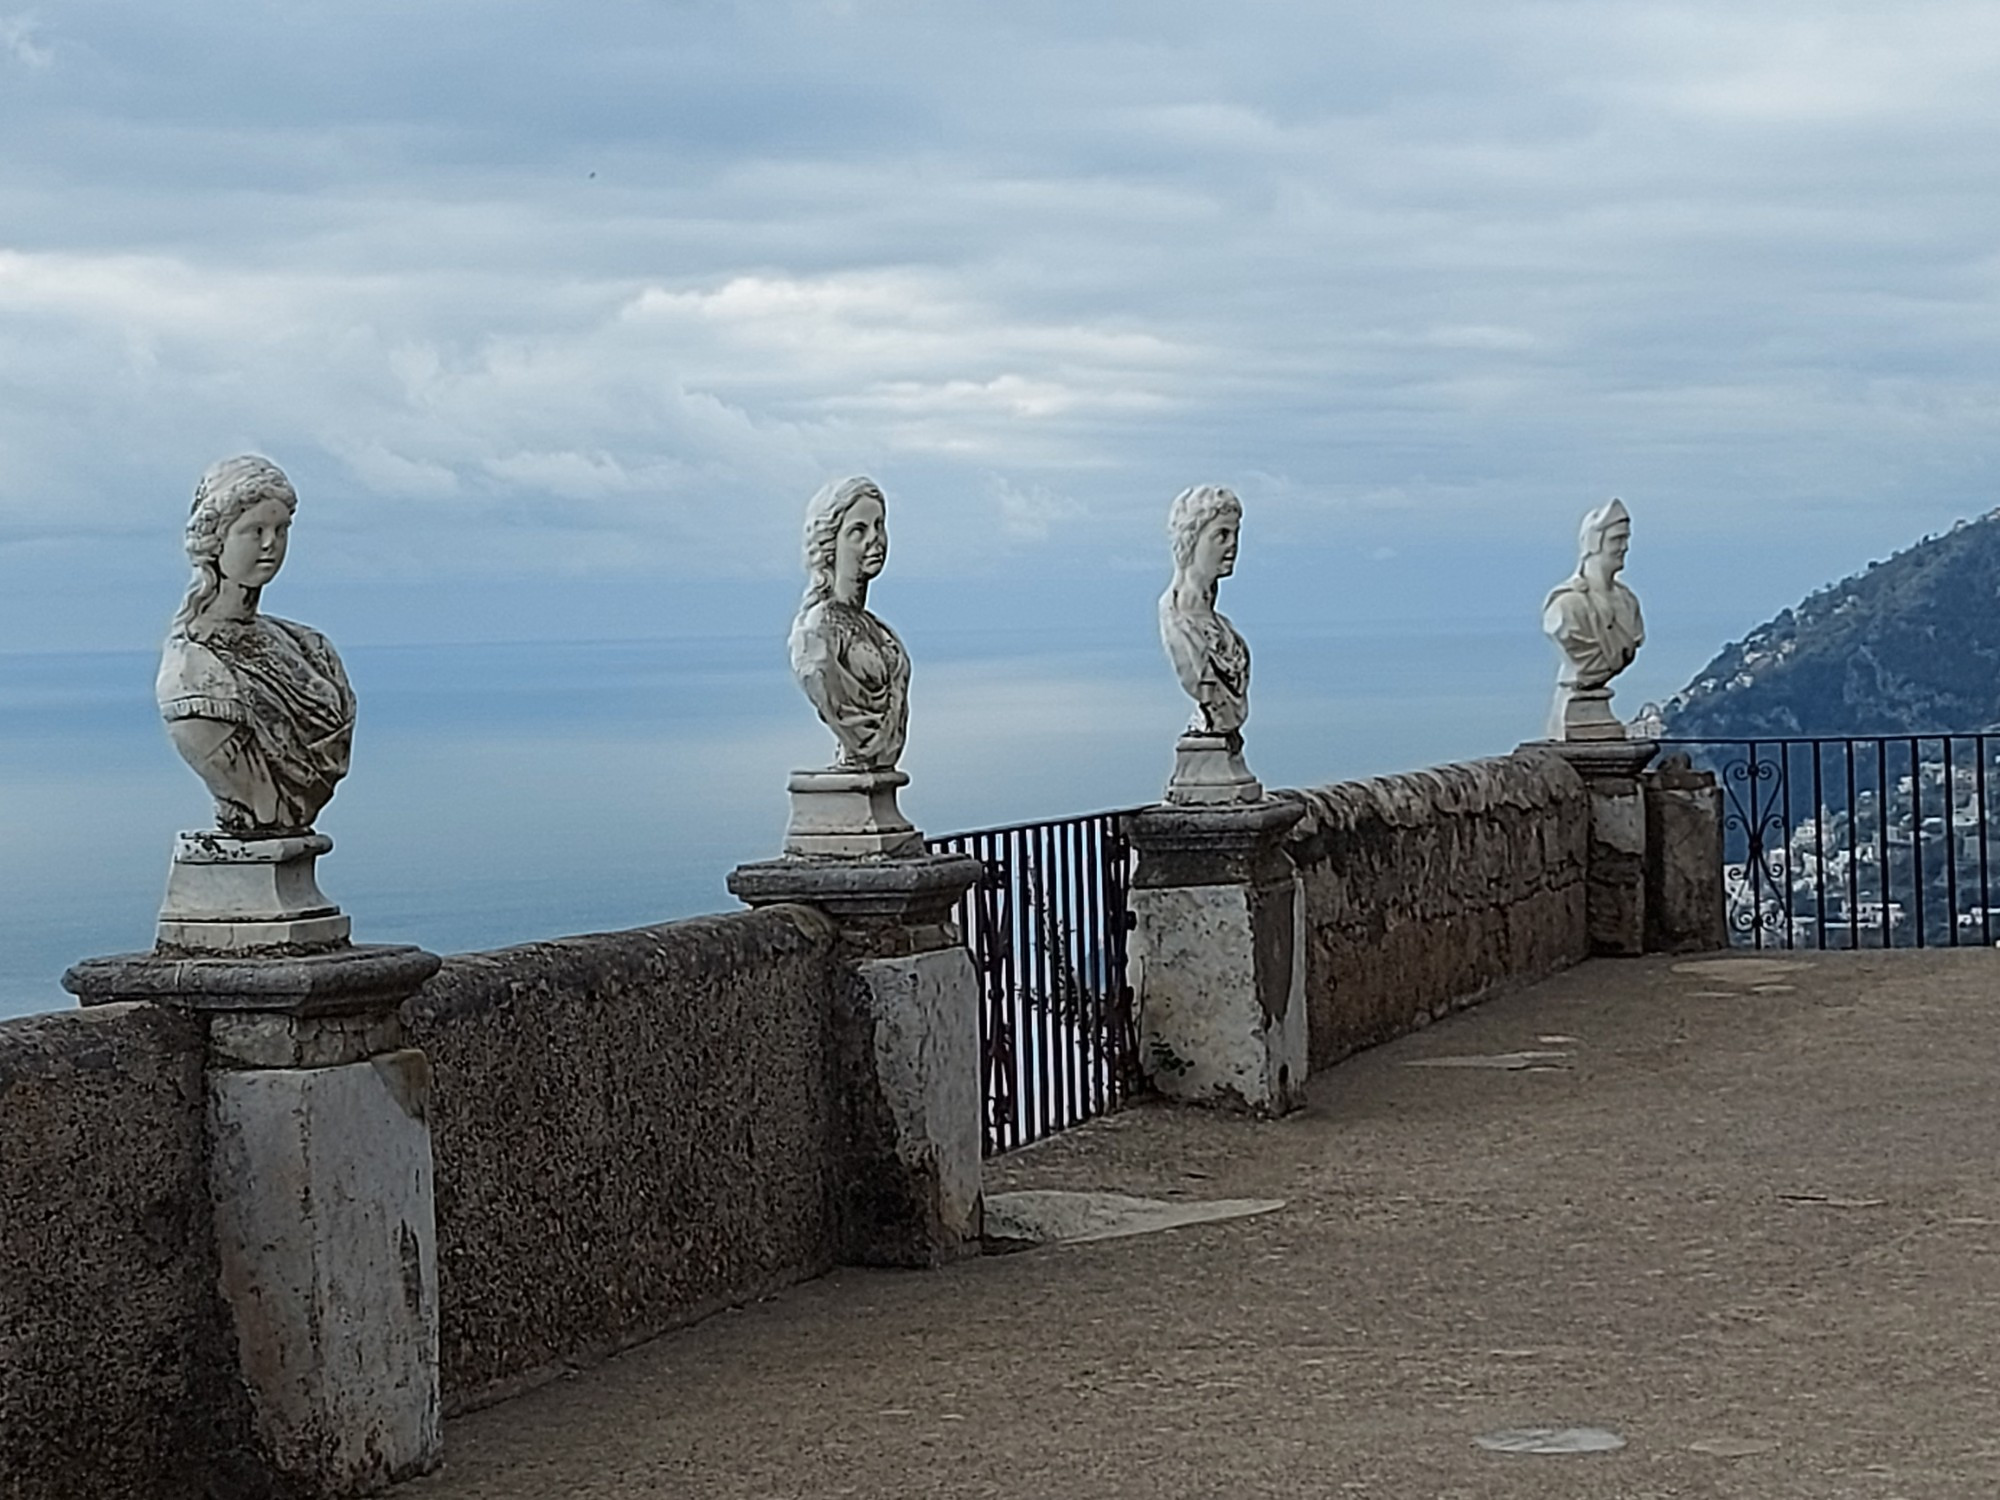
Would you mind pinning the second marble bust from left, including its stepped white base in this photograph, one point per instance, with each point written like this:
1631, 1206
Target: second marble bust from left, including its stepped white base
857, 675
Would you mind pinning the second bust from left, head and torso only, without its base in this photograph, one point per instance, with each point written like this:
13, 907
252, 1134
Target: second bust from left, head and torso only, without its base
851, 665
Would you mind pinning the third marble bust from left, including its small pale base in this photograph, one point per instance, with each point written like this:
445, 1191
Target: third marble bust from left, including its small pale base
1209, 655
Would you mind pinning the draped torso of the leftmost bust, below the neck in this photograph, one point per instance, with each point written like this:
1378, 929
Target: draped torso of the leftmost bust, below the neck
291, 713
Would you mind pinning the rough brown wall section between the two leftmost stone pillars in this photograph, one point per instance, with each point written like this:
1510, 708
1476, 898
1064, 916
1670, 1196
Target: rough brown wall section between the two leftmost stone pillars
633, 1129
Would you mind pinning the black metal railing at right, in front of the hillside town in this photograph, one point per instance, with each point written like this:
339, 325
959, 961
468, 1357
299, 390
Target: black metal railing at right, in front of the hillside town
1857, 843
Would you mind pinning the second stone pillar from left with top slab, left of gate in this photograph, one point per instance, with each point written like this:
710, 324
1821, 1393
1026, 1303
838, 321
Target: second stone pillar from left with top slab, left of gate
907, 1045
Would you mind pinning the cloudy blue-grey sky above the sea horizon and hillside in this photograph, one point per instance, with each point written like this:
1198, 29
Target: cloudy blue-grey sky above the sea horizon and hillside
559, 313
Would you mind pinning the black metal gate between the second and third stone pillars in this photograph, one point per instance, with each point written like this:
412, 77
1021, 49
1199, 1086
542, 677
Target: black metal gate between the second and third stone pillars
1047, 927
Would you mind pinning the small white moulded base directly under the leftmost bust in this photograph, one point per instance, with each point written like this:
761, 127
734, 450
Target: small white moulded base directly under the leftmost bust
249, 895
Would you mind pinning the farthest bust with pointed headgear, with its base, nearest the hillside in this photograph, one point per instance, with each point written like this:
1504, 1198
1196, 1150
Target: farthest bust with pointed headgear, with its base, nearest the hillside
1597, 625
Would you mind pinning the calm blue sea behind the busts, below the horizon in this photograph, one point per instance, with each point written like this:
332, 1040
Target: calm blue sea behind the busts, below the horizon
505, 793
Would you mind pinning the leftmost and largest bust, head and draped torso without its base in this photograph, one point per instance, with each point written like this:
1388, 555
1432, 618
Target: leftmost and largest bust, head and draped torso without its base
259, 707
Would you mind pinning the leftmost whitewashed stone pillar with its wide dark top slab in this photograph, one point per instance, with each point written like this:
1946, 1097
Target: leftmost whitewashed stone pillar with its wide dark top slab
321, 1179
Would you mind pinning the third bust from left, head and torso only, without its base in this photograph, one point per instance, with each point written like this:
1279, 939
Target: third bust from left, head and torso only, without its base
1209, 655
